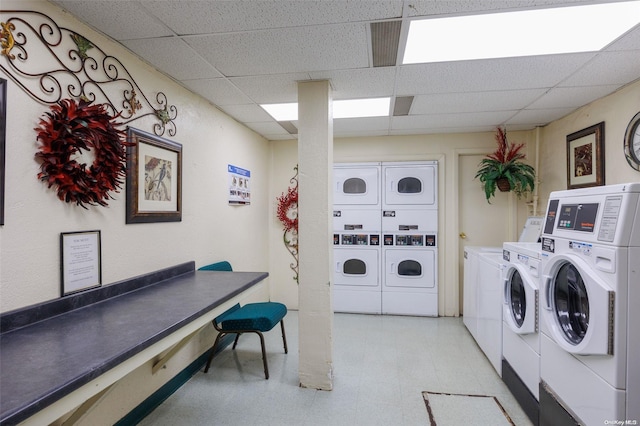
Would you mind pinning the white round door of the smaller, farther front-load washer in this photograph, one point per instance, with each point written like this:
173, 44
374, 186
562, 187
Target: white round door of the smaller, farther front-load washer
520, 301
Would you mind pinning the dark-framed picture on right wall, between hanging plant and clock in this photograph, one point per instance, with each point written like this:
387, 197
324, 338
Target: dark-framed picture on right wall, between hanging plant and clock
585, 157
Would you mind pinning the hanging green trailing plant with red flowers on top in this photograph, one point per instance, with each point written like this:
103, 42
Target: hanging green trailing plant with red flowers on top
505, 169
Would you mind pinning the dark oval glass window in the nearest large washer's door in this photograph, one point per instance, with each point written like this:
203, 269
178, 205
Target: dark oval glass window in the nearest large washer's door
571, 303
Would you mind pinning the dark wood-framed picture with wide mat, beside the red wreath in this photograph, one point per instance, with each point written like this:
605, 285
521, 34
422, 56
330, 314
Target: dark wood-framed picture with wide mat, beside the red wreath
154, 178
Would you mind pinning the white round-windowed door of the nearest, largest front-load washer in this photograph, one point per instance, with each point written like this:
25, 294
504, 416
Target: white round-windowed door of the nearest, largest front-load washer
577, 307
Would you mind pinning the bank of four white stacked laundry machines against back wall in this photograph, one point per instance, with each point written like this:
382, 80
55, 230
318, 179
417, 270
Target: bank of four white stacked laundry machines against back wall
388, 211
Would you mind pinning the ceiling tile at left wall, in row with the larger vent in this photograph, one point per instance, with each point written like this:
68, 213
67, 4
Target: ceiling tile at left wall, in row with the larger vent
174, 57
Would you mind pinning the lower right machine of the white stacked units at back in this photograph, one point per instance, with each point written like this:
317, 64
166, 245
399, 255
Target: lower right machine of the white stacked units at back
410, 274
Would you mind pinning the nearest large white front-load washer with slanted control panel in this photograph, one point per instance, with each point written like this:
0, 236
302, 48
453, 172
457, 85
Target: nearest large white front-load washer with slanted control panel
590, 288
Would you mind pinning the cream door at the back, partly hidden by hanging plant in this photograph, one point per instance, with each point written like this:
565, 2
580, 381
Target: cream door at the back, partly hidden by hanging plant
479, 223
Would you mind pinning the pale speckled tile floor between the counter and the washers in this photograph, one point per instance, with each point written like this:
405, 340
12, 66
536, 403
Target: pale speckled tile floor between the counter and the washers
382, 364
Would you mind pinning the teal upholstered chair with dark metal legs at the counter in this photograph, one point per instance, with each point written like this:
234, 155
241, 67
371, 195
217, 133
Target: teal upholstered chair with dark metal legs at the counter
251, 318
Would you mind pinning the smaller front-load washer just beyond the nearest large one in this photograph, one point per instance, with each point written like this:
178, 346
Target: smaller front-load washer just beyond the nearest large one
520, 328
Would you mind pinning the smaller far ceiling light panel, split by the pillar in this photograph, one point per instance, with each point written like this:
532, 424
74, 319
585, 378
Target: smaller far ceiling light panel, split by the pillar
351, 108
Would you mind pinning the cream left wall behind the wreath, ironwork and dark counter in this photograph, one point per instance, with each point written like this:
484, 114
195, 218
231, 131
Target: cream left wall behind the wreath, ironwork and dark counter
210, 229
